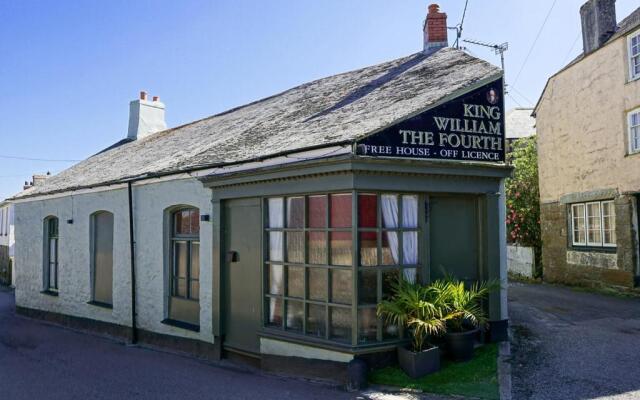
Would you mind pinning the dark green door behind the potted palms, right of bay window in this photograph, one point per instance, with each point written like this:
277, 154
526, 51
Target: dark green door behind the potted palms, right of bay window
454, 237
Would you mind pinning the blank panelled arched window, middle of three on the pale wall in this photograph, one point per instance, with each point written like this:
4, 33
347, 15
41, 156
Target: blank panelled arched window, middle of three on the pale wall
102, 258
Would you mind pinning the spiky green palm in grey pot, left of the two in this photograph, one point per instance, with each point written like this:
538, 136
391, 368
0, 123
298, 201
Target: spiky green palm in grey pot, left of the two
419, 309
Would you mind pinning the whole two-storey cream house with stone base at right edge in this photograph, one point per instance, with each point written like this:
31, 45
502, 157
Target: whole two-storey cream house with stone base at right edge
588, 123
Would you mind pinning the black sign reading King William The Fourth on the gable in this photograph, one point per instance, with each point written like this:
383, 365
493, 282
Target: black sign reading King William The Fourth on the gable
469, 128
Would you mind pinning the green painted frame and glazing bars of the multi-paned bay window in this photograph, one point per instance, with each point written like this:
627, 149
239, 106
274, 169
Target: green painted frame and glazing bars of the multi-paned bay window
356, 308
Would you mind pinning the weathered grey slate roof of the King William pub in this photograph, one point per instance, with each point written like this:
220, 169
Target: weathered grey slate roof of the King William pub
338, 109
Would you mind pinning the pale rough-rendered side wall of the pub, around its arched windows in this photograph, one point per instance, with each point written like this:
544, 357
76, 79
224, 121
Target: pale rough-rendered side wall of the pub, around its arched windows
150, 202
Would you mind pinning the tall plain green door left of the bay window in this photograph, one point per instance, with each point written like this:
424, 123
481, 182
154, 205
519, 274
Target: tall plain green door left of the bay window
242, 279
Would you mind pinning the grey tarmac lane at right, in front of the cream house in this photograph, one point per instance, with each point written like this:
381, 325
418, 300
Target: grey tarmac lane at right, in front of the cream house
573, 345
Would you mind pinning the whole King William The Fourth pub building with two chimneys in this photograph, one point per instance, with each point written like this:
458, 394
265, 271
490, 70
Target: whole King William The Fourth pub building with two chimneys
270, 232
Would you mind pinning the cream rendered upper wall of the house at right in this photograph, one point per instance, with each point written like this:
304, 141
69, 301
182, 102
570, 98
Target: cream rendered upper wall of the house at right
582, 126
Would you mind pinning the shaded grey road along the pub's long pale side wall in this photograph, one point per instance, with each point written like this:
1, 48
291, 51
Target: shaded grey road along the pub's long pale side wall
40, 360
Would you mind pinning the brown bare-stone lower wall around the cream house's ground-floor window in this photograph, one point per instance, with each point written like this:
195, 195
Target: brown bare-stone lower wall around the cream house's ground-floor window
567, 265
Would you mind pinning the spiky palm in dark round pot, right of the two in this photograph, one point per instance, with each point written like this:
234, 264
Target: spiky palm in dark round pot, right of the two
465, 314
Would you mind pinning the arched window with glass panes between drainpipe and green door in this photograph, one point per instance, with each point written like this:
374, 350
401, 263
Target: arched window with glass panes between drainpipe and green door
185, 265
